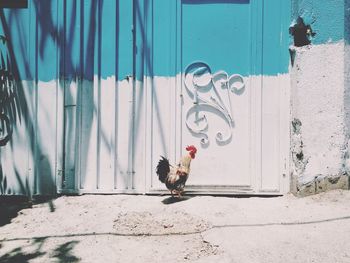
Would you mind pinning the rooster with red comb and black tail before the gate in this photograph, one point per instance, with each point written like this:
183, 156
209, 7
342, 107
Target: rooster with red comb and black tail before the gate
175, 177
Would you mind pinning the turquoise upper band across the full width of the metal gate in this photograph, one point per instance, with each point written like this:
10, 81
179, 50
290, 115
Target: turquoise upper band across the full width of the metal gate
120, 38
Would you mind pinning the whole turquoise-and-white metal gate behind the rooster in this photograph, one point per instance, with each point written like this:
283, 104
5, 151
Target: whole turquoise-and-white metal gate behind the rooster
103, 88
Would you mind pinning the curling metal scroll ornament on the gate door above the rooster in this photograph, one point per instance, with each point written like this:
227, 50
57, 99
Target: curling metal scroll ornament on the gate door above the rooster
203, 87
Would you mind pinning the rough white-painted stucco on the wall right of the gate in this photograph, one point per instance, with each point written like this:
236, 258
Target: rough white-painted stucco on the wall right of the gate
318, 134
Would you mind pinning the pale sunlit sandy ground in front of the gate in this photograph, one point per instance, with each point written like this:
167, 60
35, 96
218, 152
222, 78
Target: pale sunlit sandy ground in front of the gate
126, 228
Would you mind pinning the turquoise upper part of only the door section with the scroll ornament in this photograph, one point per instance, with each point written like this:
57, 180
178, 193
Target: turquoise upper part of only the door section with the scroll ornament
204, 32
